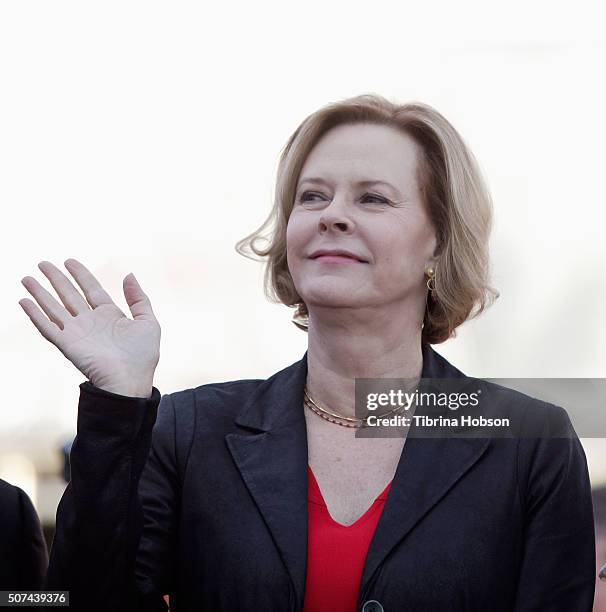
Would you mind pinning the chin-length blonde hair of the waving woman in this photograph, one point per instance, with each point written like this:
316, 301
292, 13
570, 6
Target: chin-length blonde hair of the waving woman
454, 192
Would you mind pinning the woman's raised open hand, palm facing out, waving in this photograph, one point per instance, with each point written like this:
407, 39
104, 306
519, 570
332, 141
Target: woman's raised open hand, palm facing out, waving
114, 352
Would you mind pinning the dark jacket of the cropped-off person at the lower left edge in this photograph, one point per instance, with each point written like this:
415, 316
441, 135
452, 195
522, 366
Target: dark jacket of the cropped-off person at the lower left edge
23, 553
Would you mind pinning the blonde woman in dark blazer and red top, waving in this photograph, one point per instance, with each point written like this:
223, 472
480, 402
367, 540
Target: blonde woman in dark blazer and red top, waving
259, 494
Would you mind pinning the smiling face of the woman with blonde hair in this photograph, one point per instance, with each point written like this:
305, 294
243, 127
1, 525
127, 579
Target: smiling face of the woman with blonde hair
358, 192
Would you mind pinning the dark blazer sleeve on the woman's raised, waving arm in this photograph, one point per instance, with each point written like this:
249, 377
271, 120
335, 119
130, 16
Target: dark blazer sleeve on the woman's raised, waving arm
100, 517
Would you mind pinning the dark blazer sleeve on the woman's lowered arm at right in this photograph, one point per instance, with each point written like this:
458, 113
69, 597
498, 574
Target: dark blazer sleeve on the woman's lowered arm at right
558, 566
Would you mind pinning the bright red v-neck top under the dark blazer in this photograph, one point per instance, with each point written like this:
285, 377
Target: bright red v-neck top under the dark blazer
336, 553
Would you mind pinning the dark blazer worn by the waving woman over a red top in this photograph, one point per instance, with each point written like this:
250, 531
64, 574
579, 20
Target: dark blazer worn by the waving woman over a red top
215, 514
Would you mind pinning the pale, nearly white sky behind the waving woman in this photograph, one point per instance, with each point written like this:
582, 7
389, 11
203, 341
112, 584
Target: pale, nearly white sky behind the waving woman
144, 137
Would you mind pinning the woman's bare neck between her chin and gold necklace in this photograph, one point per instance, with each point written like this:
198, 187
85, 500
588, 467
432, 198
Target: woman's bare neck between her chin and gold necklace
343, 347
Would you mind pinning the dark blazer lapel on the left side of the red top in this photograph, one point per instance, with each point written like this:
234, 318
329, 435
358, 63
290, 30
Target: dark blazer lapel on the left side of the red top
272, 459
